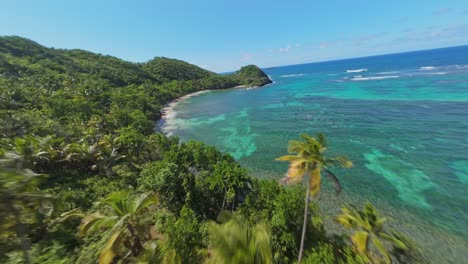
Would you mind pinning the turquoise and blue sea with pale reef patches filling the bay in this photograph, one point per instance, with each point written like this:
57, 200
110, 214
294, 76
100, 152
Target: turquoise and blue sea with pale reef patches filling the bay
402, 119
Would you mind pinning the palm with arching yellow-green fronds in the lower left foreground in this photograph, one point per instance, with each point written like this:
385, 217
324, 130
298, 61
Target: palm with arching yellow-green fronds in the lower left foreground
123, 211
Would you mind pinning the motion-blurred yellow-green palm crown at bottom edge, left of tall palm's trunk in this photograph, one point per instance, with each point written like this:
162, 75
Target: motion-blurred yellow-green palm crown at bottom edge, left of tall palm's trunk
236, 242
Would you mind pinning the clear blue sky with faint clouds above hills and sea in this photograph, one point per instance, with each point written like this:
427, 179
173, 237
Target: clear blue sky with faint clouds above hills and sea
224, 35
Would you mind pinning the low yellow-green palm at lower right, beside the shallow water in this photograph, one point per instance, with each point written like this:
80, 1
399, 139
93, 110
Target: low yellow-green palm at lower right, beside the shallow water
369, 229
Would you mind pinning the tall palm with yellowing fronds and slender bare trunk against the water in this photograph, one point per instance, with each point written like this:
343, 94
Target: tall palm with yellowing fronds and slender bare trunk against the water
310, 161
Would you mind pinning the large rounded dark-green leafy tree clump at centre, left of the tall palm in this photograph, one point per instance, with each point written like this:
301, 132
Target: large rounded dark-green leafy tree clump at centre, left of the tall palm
198, 176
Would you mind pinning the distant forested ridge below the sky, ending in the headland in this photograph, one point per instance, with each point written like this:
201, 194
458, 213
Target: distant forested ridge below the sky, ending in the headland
21, 57
